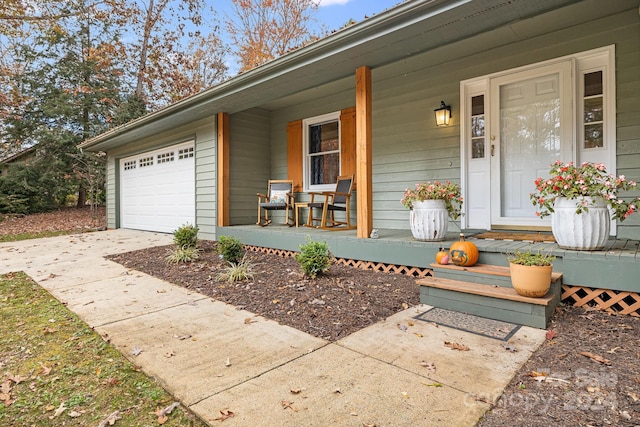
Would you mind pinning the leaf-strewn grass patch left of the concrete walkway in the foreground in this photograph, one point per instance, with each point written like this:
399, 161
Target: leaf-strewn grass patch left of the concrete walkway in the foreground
50, 359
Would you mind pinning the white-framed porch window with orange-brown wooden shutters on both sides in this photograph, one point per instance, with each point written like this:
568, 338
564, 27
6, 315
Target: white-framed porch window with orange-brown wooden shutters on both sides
321, 148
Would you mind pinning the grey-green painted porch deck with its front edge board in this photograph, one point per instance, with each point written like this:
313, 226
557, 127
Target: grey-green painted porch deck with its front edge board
614, 268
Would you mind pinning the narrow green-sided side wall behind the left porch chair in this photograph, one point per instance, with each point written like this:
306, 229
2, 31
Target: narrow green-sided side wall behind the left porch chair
250, 159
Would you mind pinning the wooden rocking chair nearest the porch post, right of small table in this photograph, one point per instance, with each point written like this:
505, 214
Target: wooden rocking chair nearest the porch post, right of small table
338, 200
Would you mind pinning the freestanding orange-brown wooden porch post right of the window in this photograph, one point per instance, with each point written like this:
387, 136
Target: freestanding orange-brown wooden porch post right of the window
363, 152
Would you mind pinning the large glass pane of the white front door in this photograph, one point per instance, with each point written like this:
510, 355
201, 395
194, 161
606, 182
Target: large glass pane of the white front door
529, 139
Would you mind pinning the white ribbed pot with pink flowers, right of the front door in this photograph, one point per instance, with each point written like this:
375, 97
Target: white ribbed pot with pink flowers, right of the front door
579, 200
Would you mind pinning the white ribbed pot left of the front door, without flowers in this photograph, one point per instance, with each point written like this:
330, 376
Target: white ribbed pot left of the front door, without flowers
429, 220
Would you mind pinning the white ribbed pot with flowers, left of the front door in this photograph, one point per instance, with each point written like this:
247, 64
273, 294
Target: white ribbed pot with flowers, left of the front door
430, 205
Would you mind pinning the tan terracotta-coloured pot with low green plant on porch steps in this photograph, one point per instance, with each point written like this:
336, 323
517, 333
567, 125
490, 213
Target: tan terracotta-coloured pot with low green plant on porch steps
531, 273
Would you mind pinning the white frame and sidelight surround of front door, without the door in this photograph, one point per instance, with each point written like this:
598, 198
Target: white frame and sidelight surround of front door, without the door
600, 59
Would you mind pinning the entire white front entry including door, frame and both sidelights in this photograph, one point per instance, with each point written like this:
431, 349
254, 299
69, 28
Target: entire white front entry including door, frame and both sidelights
515, 123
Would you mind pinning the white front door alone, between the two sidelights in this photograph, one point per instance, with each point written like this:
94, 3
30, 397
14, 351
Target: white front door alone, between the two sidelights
531, 126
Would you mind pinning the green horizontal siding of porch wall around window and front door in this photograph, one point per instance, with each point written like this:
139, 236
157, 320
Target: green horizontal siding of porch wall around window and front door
408, 148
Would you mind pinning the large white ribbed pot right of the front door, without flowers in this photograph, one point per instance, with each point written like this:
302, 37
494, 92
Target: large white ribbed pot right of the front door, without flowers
587, 231
